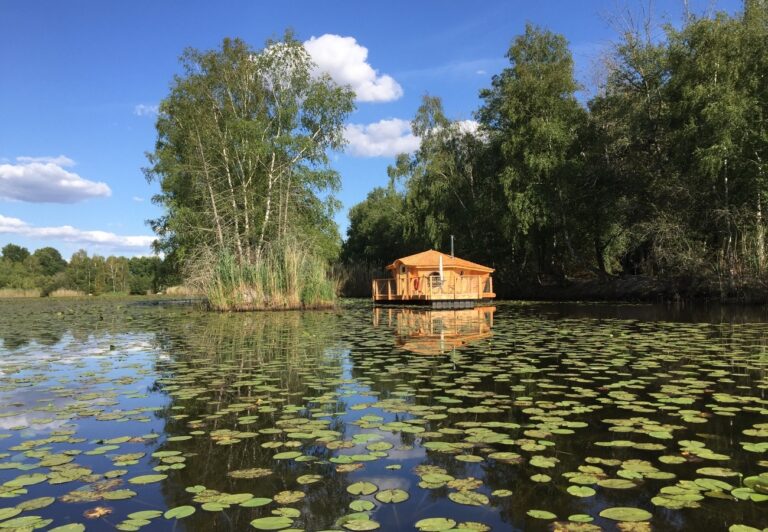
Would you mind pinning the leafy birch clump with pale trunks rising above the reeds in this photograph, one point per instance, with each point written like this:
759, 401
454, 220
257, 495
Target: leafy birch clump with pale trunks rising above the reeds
242, 149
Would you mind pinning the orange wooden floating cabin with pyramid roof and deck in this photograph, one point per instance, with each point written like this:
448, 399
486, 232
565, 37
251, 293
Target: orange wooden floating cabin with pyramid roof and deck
436, 279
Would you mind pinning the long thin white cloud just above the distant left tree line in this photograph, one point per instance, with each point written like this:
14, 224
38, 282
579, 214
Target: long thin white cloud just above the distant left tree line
67, 233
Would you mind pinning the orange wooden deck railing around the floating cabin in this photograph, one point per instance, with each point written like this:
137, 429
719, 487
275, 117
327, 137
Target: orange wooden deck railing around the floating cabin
431, 287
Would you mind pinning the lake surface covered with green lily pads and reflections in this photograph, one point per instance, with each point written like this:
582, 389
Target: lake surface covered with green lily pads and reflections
520, 416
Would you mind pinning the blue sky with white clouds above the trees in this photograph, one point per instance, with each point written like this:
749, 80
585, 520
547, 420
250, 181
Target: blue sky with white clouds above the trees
81, 81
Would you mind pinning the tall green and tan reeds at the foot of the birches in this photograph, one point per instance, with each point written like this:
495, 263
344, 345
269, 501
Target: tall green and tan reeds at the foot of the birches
283, 277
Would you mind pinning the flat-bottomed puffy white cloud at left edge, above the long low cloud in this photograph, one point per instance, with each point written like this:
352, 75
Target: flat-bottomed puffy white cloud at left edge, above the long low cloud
44, 180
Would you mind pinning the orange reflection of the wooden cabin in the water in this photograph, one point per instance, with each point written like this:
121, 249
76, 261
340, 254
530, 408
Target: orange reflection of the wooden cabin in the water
434, 332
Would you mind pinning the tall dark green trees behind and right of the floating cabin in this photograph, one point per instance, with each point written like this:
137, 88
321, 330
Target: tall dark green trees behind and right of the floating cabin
662, 173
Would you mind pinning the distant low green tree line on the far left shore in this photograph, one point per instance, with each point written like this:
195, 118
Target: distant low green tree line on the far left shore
46, 271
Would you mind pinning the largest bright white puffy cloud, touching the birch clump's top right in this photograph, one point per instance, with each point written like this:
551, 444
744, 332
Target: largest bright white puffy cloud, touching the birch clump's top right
346, 62
